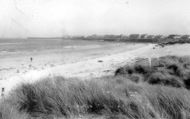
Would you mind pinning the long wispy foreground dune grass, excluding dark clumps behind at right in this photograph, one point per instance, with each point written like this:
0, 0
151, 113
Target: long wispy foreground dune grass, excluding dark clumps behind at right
104, 98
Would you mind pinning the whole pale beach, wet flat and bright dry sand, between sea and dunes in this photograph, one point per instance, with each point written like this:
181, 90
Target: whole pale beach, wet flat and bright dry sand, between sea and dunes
72, 61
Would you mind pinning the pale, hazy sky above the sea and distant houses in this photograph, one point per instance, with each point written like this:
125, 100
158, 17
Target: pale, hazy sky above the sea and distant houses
55, 18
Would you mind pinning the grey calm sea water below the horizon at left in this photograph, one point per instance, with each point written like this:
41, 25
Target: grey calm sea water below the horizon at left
14, 45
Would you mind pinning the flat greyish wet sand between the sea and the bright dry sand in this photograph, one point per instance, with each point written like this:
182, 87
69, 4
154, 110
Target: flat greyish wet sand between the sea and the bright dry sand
19, 62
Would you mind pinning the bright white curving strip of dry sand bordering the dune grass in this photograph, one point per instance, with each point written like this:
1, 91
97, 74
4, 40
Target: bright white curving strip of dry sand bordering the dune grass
84, 69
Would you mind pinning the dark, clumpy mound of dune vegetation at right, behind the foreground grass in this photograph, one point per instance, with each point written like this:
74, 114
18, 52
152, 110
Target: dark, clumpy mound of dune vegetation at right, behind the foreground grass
168, 70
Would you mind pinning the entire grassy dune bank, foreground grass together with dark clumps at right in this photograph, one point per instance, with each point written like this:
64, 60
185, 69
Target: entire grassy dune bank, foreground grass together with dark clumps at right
138, 91
